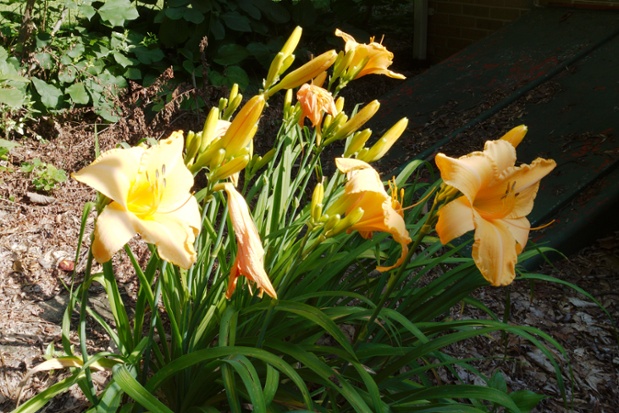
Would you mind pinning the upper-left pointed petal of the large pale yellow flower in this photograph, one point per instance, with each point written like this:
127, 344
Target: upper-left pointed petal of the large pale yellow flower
112, 173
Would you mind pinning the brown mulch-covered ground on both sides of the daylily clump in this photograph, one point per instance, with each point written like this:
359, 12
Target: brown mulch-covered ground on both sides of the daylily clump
38, 239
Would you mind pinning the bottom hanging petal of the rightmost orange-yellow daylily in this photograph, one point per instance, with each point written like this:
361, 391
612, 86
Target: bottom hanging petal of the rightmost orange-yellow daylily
495, 251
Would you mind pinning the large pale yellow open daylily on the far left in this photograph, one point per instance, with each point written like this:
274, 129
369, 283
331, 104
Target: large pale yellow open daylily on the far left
150, 193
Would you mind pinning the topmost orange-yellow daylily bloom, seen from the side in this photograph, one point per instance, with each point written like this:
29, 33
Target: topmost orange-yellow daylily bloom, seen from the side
376, 57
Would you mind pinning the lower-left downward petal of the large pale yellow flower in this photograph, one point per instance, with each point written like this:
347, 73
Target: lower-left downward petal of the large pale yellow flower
115, 226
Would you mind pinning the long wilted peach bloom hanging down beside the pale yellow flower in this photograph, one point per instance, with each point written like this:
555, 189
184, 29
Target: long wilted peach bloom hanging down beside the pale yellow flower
249, 260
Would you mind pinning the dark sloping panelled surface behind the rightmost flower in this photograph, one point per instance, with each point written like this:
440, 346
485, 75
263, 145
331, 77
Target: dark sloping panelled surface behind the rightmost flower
573, 52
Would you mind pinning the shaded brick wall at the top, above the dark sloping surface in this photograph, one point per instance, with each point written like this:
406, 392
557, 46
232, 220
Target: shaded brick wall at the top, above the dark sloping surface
454, 24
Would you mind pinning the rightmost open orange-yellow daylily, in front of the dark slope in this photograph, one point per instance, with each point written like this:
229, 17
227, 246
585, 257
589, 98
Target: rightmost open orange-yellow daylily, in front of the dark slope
496, 198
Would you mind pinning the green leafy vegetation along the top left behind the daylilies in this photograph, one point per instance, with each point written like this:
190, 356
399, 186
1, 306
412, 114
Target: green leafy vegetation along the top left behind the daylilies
61, 54
